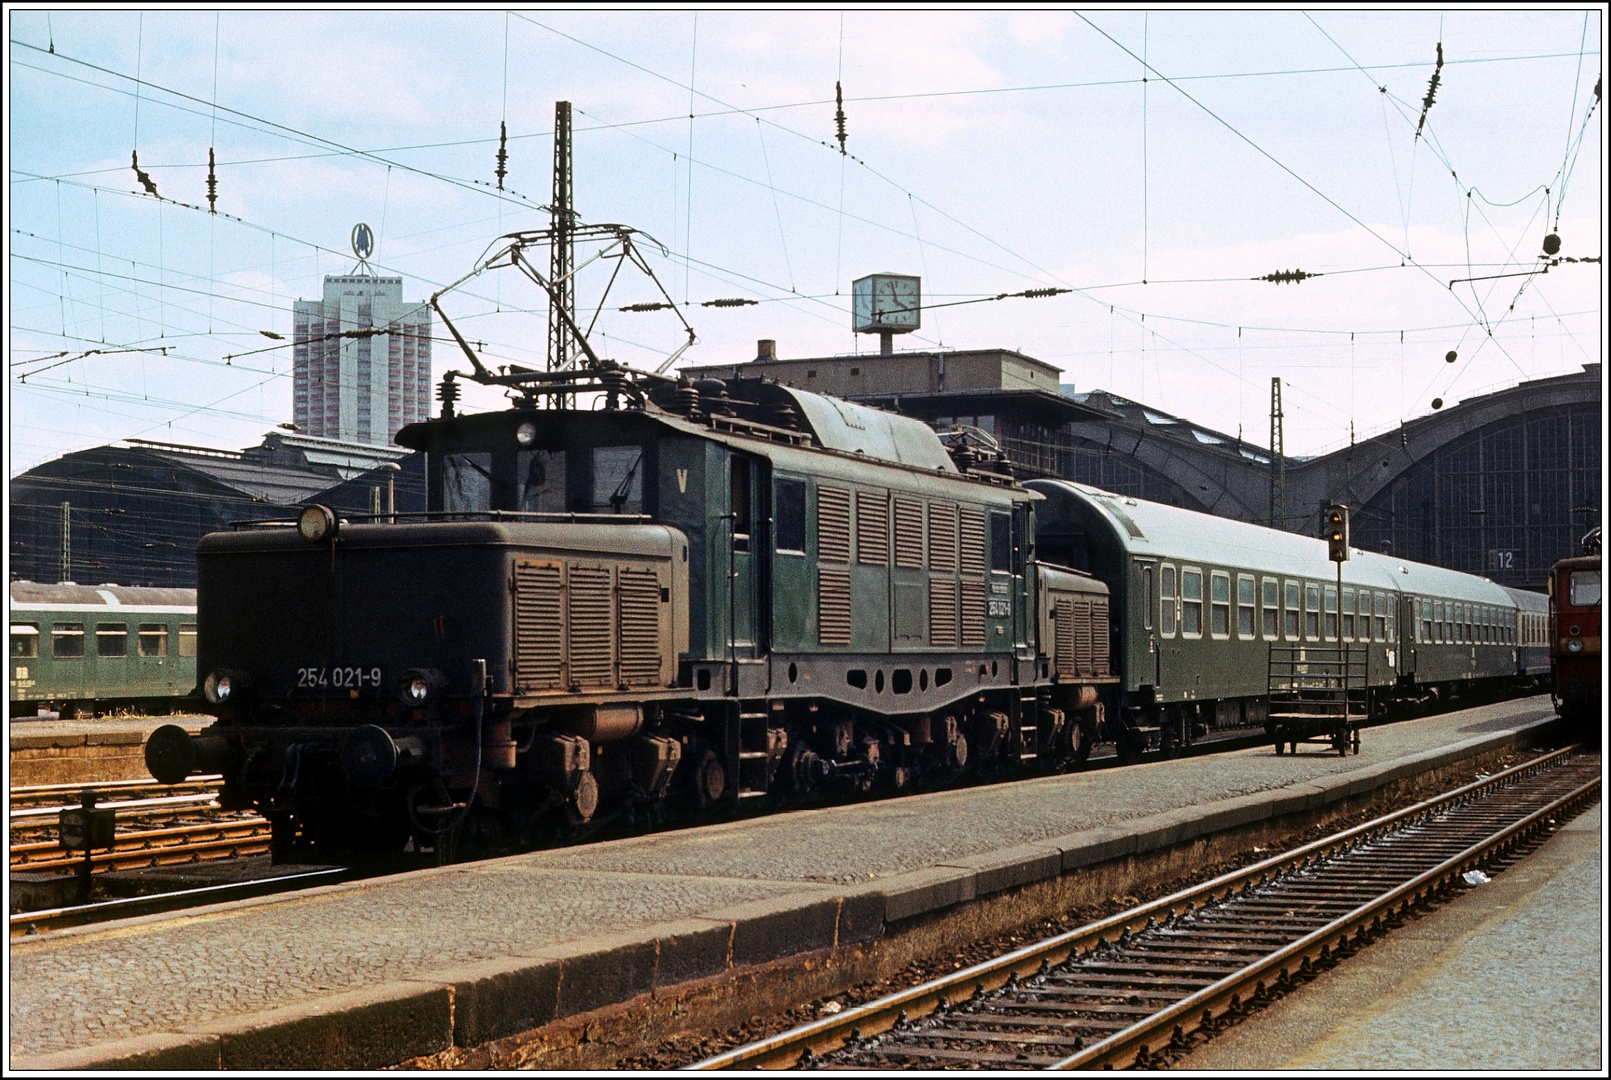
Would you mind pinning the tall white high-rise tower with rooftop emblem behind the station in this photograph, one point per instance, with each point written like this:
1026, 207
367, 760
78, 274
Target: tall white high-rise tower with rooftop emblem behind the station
360, 388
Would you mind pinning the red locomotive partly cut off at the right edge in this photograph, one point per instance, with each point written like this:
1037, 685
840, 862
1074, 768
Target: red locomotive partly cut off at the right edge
1575, 639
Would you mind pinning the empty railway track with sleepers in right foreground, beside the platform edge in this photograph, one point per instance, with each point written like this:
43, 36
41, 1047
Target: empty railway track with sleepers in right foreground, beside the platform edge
1132, 989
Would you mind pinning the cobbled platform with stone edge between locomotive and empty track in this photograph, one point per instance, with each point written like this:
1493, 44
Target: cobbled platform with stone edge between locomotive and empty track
383, 971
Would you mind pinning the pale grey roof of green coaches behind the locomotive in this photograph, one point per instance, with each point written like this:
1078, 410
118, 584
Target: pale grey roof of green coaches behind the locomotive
1174, 533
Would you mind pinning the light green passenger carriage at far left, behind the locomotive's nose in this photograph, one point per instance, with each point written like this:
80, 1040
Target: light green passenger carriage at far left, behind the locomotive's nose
80, 650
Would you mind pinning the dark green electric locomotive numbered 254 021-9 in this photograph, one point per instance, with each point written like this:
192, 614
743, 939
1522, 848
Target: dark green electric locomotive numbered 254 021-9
698, 597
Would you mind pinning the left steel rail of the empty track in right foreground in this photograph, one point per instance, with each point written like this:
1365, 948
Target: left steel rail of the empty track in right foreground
830, 1034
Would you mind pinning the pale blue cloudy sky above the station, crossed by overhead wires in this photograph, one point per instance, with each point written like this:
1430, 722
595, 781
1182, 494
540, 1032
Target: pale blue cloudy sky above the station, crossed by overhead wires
1156, 165
